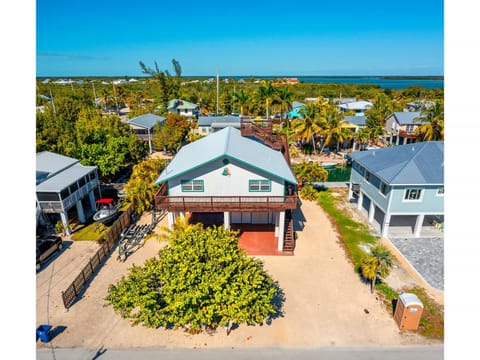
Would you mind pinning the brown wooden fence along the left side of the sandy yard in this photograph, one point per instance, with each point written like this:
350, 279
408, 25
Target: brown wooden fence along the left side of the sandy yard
111, 237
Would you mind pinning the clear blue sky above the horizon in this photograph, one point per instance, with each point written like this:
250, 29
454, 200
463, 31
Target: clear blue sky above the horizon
240, 37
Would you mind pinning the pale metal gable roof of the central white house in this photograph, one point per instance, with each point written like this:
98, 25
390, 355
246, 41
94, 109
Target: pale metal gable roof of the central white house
228, 143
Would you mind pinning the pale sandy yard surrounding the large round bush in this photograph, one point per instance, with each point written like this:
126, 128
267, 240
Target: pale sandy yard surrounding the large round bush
325, 301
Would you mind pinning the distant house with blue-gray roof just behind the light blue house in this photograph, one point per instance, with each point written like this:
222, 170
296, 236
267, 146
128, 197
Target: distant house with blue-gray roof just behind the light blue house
400, 127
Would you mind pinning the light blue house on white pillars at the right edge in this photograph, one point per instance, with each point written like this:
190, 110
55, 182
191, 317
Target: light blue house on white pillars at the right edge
400, 188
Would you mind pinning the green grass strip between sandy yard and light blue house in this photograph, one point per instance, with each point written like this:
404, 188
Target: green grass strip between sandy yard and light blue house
354, 234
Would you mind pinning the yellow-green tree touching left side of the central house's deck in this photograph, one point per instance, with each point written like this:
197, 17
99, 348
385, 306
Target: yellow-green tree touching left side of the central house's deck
141, 187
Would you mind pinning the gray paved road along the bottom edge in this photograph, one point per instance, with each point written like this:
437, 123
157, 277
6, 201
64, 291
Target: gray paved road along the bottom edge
370, 353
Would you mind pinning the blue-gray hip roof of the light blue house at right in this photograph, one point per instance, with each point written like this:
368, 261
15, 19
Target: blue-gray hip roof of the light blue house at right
411, 164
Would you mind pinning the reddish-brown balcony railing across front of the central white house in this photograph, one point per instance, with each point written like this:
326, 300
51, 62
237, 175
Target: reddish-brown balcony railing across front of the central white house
223, 203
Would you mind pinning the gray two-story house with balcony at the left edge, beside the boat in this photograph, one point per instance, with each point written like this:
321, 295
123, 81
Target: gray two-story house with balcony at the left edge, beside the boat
63, 185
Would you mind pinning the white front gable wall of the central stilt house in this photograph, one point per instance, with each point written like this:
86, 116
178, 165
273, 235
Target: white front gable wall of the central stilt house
216, 184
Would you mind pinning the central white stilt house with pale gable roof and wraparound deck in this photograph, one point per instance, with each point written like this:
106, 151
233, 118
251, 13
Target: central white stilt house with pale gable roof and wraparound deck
239, 179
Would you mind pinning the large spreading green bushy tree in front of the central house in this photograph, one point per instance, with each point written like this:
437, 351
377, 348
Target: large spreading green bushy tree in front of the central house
201, 280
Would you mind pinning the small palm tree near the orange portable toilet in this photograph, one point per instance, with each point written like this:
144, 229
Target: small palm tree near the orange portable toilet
378, 263
